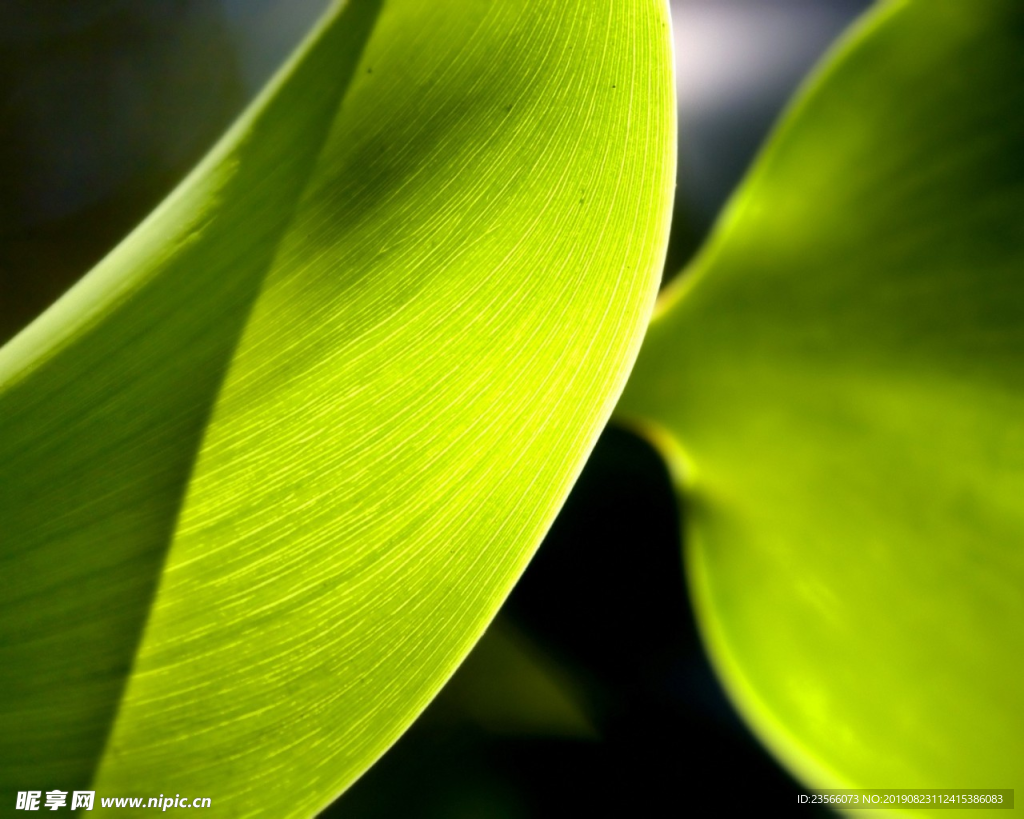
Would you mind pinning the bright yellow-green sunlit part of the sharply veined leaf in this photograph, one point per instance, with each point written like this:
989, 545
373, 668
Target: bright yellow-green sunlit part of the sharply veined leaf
439, 334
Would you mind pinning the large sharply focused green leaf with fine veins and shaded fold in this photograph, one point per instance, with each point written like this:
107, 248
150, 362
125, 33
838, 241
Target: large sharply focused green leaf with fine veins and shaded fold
272, 467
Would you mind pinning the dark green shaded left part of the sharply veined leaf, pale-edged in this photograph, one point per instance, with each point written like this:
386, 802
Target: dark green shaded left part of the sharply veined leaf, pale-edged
94, 478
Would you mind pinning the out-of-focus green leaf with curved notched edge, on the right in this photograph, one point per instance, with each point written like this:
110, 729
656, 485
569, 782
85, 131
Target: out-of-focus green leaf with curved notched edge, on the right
839, 384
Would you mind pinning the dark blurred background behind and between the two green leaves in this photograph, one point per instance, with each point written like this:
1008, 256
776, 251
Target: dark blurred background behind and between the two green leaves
592, 692
